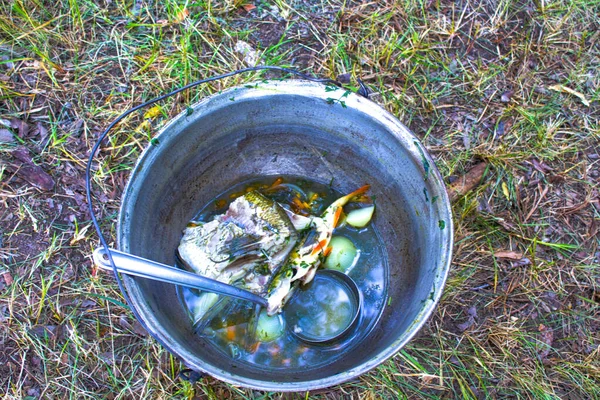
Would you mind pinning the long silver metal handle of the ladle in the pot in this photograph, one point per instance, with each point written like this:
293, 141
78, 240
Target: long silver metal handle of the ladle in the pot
138, 266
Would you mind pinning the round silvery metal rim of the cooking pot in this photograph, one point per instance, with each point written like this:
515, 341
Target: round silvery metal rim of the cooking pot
412, 145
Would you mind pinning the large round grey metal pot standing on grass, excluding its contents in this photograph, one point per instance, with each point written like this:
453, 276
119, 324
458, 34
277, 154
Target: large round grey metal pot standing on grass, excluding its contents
295, 128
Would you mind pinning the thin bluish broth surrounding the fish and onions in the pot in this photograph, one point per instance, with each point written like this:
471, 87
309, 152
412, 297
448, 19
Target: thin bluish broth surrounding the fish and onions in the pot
228, 330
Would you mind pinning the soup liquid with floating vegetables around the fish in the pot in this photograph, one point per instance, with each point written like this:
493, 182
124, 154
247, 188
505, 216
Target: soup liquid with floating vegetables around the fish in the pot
234, 330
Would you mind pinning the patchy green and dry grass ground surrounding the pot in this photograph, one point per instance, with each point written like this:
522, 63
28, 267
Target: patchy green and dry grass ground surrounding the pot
502, 81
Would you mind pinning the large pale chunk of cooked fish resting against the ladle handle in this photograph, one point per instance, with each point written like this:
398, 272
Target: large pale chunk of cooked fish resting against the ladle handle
245, 246
